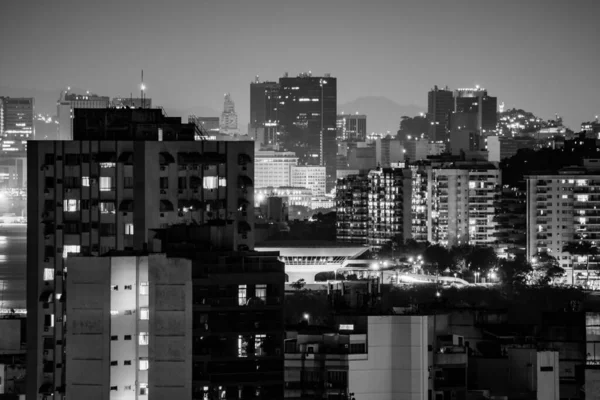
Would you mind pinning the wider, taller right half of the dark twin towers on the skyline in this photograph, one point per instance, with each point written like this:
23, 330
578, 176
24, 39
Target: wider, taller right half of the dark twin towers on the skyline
307, 117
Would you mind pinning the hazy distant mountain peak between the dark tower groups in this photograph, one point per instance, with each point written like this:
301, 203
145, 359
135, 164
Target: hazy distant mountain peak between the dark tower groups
382, 113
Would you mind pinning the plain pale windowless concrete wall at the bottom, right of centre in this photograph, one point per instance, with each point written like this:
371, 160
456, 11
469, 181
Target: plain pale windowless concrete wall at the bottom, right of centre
396, 366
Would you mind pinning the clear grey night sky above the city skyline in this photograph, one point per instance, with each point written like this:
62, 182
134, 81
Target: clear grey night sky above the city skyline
539, 55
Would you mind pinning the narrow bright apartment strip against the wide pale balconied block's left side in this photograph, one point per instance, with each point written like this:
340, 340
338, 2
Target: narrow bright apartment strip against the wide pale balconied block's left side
419, 202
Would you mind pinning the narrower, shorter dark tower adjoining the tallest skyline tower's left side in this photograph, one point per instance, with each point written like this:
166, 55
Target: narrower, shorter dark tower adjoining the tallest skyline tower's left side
264, 112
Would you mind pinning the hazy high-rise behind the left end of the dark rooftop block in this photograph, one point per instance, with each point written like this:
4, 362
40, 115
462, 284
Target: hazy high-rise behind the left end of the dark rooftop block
66, 105
